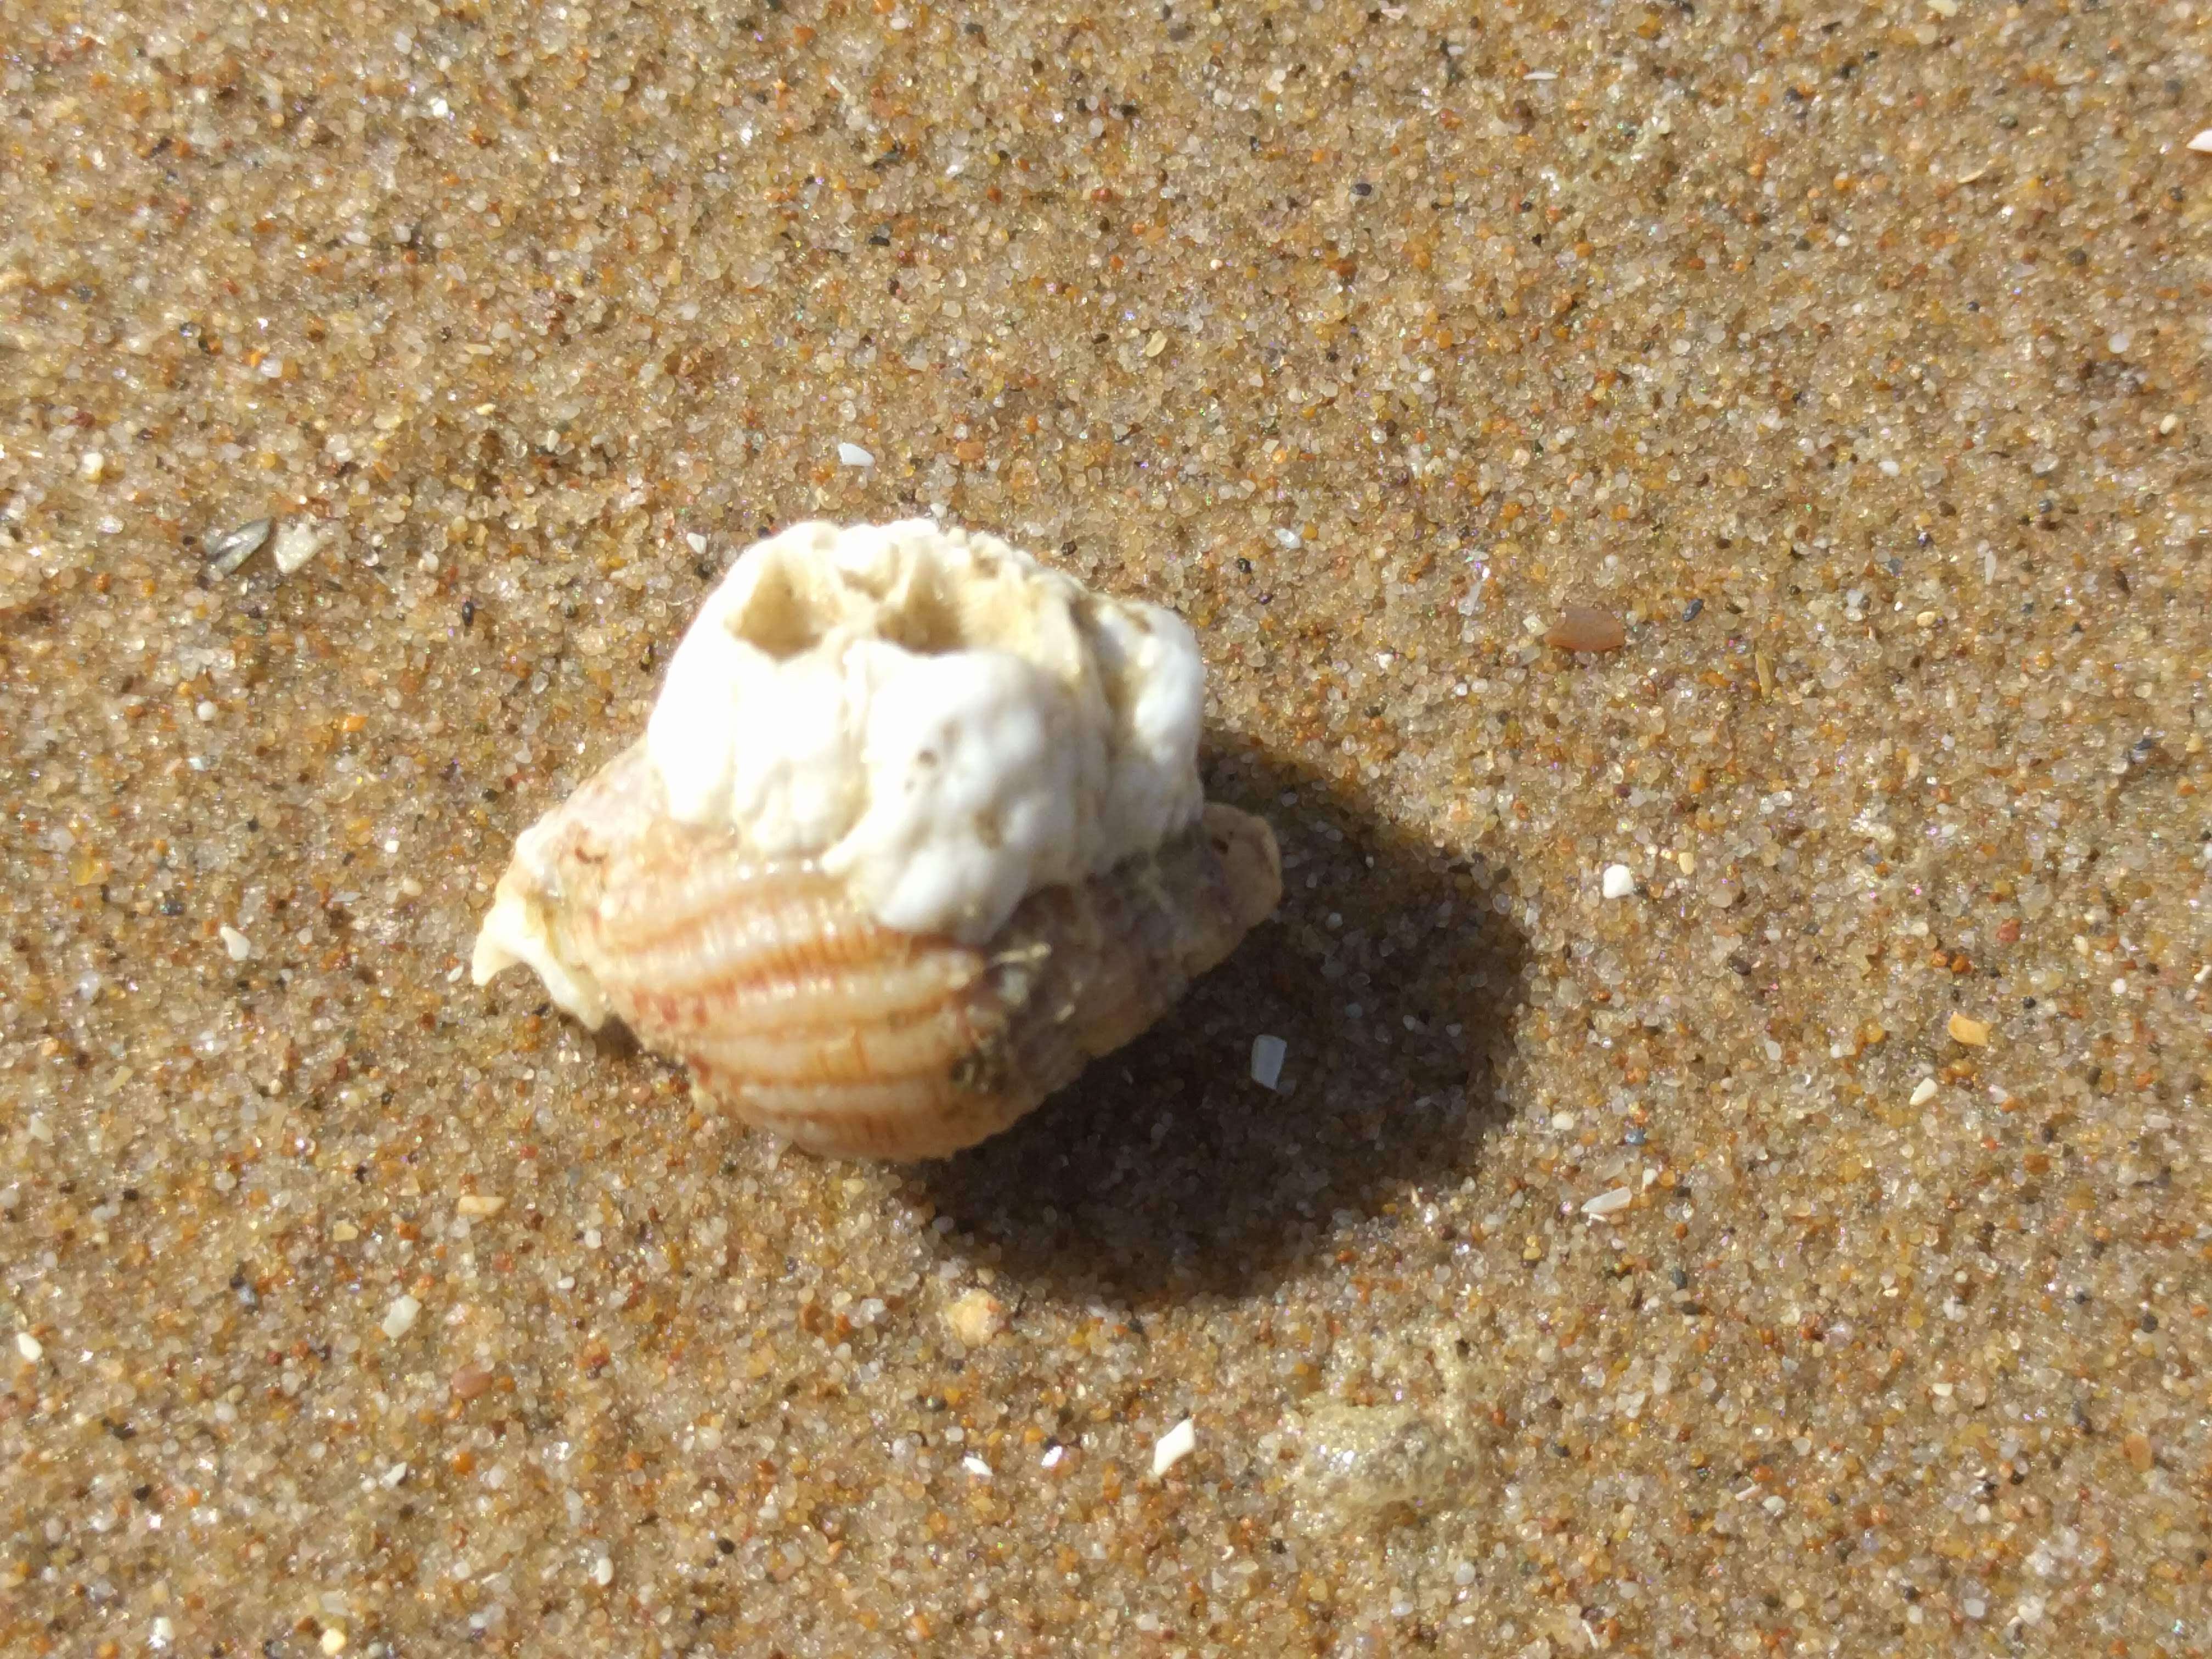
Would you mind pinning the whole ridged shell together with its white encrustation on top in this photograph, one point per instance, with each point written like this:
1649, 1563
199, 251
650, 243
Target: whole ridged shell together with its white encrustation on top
915, 833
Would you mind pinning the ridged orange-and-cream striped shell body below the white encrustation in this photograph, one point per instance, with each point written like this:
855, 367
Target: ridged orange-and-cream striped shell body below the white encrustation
804, 1014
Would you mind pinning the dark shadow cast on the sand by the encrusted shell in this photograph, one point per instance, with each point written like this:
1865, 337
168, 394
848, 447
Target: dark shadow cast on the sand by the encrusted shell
1165, 1171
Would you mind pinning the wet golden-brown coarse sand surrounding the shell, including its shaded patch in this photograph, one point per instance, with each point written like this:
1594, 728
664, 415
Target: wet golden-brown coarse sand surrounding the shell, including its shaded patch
1740, 1173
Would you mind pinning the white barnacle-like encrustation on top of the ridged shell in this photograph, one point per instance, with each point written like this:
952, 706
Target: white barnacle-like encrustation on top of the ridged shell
935, 716
